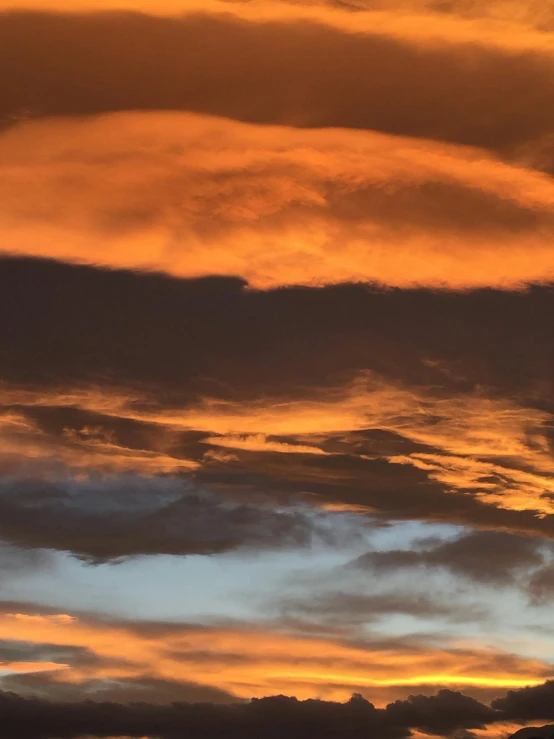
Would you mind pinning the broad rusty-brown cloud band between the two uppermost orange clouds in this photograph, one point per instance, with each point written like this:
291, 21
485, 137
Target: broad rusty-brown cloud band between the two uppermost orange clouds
472, 93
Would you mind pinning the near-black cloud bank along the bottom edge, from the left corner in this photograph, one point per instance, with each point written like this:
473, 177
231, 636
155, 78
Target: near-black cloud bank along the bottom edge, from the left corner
268, 717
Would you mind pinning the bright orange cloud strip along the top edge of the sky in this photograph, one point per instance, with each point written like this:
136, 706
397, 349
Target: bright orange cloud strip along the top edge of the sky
505, 23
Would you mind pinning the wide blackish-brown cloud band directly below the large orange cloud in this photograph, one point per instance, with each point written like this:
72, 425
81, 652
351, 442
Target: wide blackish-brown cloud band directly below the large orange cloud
213, 337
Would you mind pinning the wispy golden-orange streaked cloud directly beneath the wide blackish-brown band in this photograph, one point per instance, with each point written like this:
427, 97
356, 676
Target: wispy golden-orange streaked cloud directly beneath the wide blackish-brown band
493, 448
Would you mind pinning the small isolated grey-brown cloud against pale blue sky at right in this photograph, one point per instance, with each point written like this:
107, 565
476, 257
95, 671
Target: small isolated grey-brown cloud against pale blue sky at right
485, 556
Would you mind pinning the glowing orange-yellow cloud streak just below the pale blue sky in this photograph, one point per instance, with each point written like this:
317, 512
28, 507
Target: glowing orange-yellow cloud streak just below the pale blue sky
270, 662
